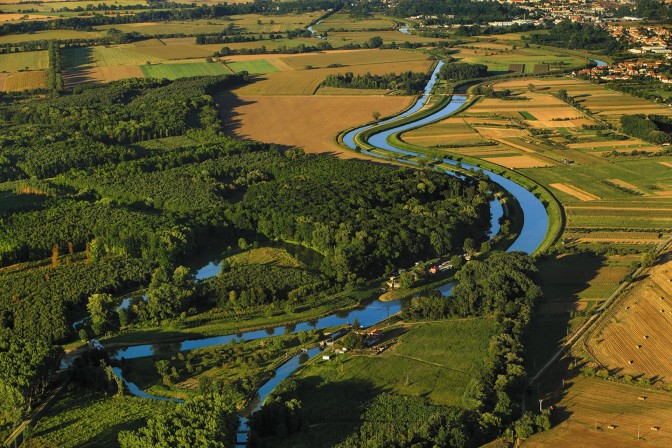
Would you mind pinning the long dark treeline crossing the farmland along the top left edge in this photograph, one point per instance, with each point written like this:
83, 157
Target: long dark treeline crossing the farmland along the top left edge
174, 14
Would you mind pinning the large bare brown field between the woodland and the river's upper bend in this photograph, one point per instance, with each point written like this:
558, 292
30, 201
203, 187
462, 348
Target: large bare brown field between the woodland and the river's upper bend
310, 122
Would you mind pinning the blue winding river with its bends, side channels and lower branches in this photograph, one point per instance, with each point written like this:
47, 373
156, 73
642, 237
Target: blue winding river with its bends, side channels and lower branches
533, 232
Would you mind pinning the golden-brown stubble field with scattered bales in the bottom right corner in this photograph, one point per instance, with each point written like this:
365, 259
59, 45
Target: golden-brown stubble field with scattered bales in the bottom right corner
587, 407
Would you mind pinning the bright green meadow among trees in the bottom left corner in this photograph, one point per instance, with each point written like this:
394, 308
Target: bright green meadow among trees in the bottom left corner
90, 419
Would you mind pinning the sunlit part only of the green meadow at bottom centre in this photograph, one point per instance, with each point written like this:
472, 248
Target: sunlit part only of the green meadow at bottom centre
434, 360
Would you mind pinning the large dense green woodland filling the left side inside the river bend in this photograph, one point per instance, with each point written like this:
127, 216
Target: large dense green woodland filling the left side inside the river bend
125, 181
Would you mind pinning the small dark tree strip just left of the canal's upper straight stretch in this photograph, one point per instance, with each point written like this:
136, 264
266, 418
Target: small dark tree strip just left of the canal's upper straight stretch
409, 82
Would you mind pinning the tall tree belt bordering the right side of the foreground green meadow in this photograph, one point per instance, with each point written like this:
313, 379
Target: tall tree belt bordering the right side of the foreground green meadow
500, 286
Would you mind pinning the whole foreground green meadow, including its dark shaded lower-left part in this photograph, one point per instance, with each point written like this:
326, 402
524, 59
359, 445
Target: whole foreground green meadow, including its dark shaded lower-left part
433, 360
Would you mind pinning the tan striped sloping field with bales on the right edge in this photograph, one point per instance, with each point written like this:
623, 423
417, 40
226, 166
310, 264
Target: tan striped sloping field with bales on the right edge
637, 339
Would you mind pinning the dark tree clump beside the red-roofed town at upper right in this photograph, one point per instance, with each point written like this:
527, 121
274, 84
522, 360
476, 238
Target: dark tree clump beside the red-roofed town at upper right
577, 36
